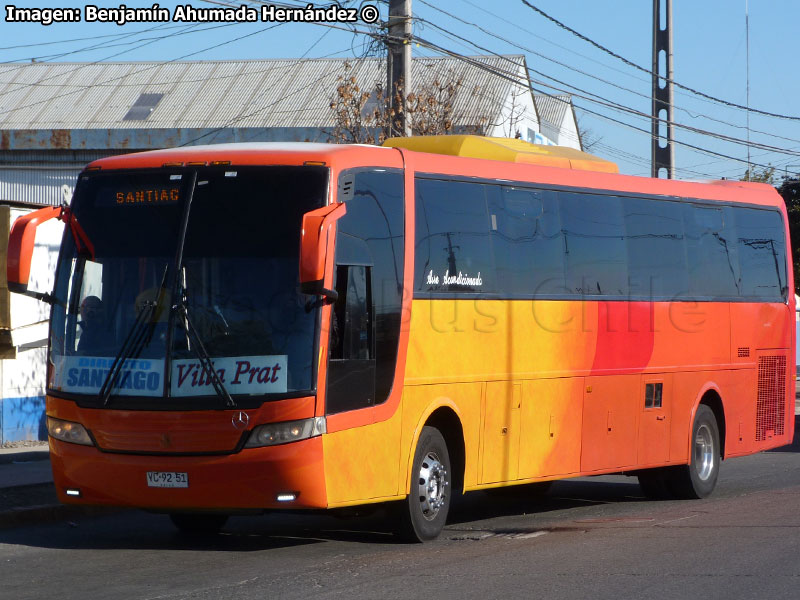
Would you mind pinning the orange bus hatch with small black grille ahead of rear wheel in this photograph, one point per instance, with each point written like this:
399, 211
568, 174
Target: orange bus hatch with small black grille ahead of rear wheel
654, 424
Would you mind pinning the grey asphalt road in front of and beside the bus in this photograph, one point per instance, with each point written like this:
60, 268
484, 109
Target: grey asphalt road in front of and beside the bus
588, 538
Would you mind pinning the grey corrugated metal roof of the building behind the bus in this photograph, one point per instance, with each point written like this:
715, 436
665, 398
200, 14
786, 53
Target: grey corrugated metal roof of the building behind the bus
208, 94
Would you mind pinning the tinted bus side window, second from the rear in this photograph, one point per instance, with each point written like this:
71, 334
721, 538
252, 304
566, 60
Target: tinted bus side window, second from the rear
711, 252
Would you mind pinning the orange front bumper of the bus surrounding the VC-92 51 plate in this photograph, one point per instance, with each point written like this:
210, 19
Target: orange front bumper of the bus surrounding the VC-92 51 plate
250, 479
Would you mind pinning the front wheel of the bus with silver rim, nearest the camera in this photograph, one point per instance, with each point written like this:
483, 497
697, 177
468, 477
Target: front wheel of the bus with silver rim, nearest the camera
424, 512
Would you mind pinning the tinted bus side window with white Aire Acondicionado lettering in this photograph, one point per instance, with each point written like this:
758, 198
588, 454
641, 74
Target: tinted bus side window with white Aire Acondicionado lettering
453, 249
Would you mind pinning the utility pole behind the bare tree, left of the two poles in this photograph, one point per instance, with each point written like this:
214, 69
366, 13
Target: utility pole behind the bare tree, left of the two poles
398, 63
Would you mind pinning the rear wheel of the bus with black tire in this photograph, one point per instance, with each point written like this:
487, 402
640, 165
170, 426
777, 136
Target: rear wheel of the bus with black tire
699, 477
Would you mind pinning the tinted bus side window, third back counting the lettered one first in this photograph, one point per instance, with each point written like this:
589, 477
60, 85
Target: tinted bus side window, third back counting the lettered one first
594, 244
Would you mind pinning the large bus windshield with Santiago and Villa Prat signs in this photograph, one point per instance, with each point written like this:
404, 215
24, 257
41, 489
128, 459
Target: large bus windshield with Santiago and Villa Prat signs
189, 266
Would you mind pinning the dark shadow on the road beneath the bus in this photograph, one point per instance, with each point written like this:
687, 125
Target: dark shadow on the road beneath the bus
134, 530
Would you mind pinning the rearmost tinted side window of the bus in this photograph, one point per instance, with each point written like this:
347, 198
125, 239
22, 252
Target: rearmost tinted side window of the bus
762, 253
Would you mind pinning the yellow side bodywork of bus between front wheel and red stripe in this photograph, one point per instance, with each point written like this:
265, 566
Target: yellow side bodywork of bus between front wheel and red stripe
501, 343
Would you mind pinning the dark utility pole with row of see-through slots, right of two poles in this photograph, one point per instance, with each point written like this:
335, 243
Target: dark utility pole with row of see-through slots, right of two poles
662, 155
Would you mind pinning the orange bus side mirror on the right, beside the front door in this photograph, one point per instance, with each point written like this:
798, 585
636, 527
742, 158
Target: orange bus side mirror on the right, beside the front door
315, 240
